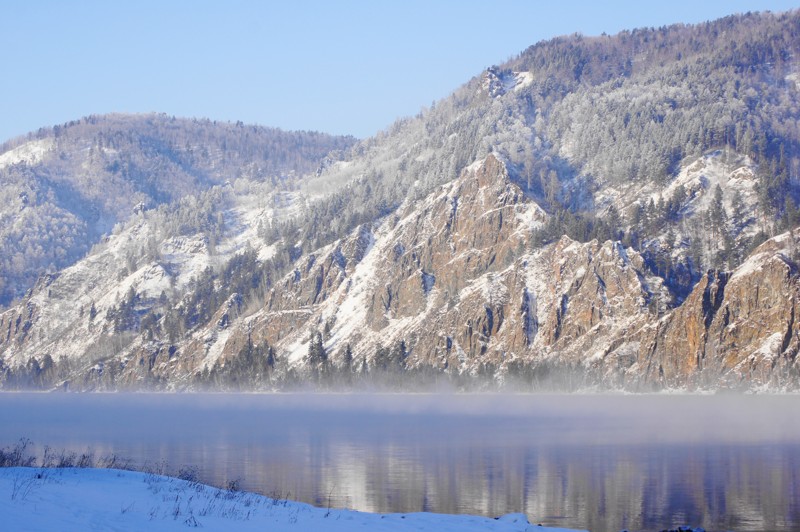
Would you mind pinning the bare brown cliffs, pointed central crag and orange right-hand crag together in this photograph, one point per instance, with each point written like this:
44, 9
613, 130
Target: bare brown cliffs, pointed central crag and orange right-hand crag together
454, 278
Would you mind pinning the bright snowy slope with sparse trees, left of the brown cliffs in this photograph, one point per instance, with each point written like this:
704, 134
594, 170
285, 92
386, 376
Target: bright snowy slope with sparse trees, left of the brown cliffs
71, 315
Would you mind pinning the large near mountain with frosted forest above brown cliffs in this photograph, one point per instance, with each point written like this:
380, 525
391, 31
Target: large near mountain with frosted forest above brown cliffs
614, 212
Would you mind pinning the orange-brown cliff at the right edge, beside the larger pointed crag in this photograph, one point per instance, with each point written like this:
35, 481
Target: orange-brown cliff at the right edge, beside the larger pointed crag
736, 329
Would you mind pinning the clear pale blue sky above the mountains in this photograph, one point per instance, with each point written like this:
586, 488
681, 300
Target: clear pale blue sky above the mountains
335, 66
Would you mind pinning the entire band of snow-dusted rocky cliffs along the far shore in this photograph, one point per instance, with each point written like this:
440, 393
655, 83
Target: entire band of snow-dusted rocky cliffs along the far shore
455, 281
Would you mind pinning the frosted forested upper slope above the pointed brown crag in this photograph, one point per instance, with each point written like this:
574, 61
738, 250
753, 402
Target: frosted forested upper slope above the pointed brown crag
595, 127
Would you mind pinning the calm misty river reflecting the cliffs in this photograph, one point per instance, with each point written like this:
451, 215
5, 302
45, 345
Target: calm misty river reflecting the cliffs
598, 462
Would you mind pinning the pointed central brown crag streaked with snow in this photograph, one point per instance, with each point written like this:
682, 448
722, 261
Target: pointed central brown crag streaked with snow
453, 278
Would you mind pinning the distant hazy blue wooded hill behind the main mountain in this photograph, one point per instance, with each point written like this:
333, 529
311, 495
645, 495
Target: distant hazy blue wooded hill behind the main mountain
62, 188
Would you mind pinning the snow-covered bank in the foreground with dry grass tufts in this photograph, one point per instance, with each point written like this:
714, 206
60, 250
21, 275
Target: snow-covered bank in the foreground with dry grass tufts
110, 499
